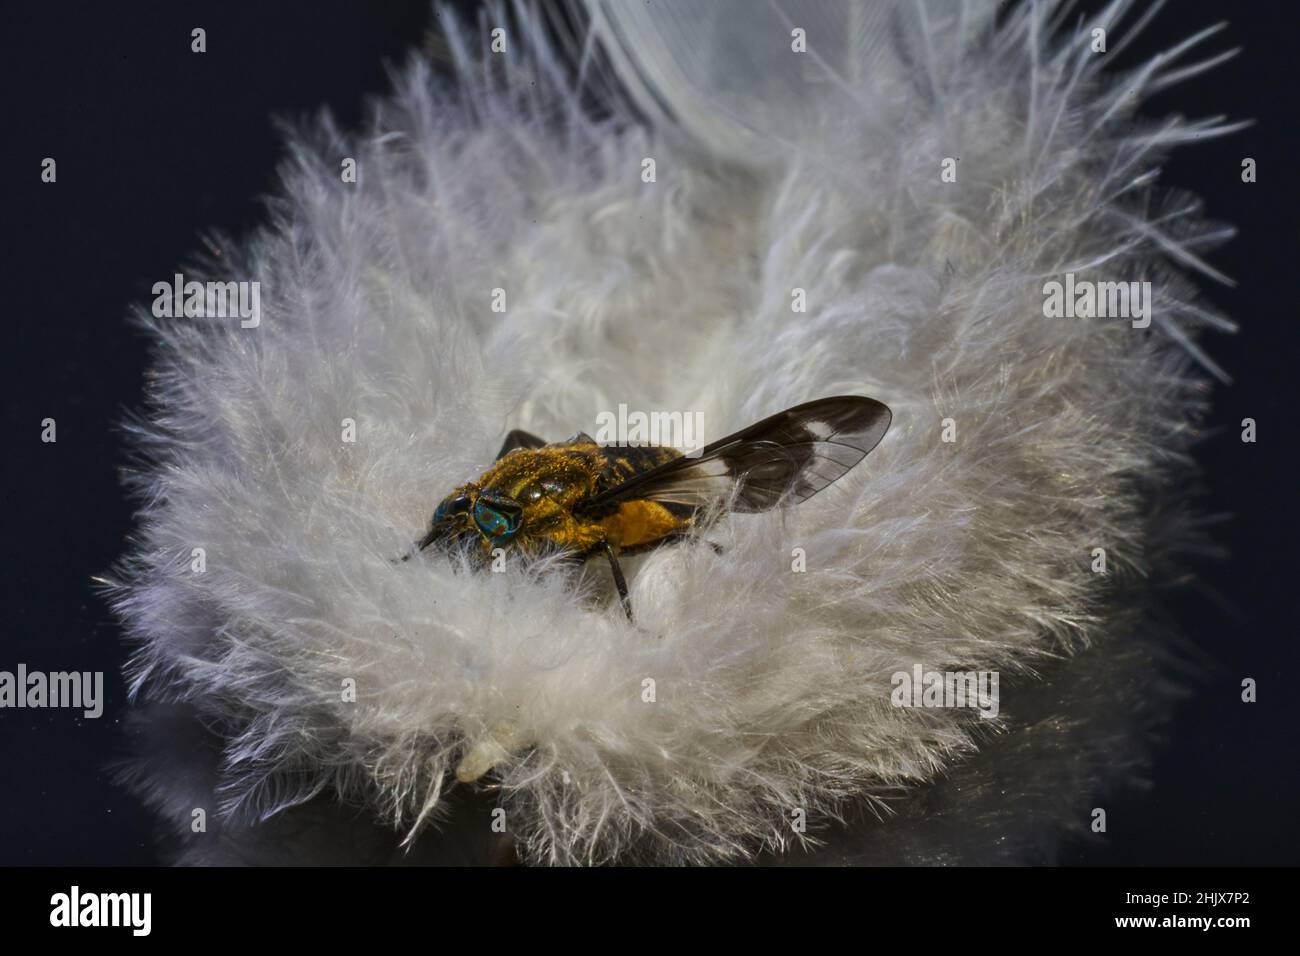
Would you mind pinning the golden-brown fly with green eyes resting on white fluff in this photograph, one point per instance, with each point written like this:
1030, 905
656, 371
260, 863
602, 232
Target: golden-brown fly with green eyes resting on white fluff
593, 500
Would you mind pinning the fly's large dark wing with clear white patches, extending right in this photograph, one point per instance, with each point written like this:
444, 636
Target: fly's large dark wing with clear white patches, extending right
798, 452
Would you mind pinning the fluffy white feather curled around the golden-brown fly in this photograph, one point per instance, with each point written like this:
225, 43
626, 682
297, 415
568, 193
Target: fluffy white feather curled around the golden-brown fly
777, 171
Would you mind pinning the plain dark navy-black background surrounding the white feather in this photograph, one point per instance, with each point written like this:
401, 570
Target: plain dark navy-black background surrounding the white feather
157, 145
